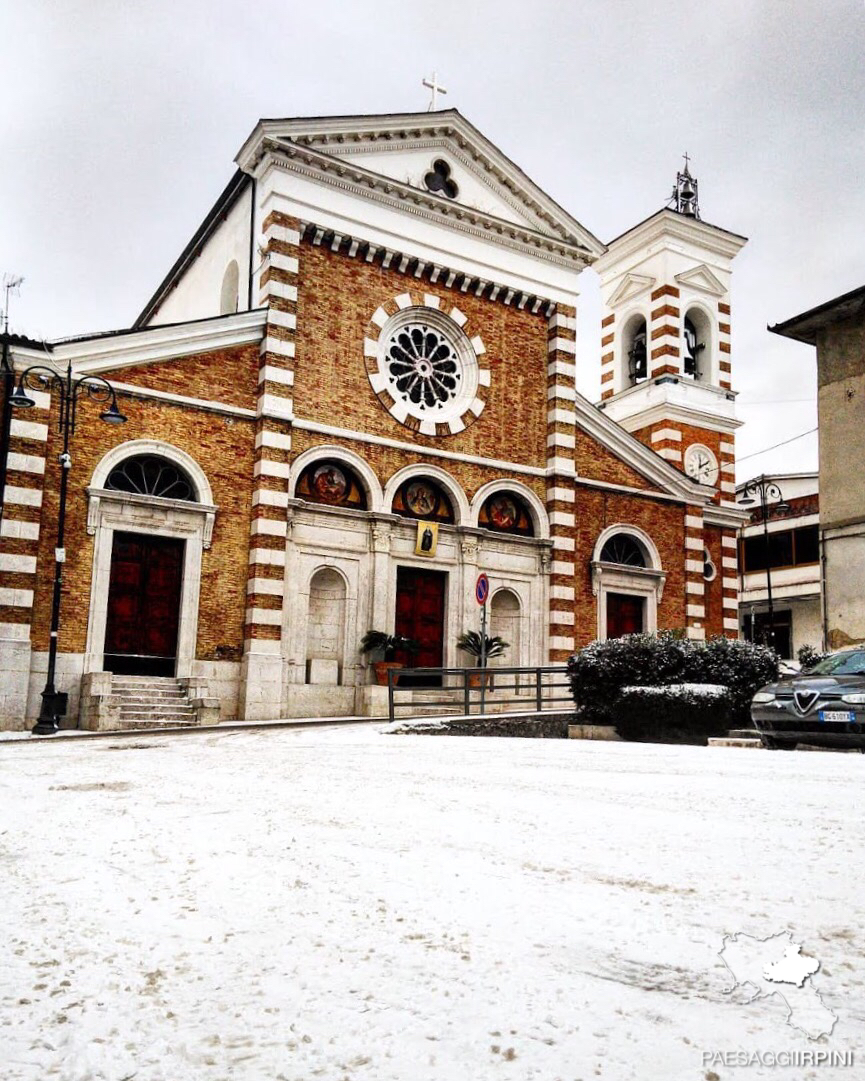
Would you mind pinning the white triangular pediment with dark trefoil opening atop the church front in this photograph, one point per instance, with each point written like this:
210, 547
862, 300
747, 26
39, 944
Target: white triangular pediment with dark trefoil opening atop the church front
404, 150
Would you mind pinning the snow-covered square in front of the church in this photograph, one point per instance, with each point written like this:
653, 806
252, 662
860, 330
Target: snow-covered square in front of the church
344, 904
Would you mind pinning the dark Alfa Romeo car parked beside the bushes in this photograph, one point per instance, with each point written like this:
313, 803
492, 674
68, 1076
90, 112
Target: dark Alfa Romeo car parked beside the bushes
824, 706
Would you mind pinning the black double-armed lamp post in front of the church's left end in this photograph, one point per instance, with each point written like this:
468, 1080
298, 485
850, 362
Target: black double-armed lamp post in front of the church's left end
99, 390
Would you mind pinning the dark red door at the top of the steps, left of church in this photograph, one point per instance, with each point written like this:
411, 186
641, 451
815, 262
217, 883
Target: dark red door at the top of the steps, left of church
144, 605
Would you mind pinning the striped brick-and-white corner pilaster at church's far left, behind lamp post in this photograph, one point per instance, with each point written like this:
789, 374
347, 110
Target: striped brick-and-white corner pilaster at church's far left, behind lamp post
20, 531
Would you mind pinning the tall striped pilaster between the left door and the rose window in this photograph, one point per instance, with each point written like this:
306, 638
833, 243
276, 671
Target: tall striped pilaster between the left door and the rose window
263, 656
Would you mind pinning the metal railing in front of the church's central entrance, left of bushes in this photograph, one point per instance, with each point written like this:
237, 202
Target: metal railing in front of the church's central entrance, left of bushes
478, 691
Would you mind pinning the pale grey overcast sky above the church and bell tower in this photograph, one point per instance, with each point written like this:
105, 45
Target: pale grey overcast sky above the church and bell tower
121, 122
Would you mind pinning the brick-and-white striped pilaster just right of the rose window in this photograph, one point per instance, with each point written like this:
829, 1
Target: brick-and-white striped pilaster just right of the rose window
562, 470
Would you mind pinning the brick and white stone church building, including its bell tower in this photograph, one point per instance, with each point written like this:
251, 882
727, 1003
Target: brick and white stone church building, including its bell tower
353, 393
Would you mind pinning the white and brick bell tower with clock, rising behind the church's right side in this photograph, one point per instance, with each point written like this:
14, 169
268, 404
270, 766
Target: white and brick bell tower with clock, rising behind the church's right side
667, 370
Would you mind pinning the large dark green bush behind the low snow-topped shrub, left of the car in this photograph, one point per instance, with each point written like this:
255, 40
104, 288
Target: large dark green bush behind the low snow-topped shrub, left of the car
601, 673
